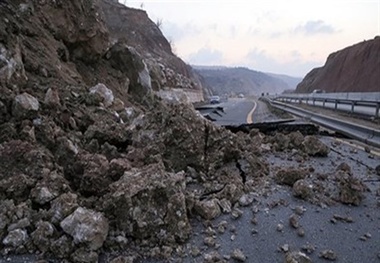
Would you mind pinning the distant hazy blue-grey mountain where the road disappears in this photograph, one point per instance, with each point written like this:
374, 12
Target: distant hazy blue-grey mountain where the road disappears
224, 80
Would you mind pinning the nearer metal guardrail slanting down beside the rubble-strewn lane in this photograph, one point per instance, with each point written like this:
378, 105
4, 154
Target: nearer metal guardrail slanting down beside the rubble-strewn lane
361, 133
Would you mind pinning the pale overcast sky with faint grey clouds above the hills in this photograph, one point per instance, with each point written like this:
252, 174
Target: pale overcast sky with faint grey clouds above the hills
279, 36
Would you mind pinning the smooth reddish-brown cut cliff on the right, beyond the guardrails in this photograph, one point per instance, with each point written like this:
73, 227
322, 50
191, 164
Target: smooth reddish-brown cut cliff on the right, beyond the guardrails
353, 69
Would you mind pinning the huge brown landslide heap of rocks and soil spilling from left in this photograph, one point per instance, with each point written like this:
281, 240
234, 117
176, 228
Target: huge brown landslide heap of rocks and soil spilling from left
90, 158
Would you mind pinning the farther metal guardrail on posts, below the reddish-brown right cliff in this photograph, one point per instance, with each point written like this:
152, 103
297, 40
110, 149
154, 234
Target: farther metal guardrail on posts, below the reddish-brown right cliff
371, 99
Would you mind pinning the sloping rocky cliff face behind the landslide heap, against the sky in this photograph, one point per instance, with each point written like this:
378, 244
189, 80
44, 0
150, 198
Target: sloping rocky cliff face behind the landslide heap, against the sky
137, 30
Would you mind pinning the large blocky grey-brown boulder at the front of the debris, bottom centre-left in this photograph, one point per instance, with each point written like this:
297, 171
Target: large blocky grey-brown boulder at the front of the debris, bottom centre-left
149, 203
